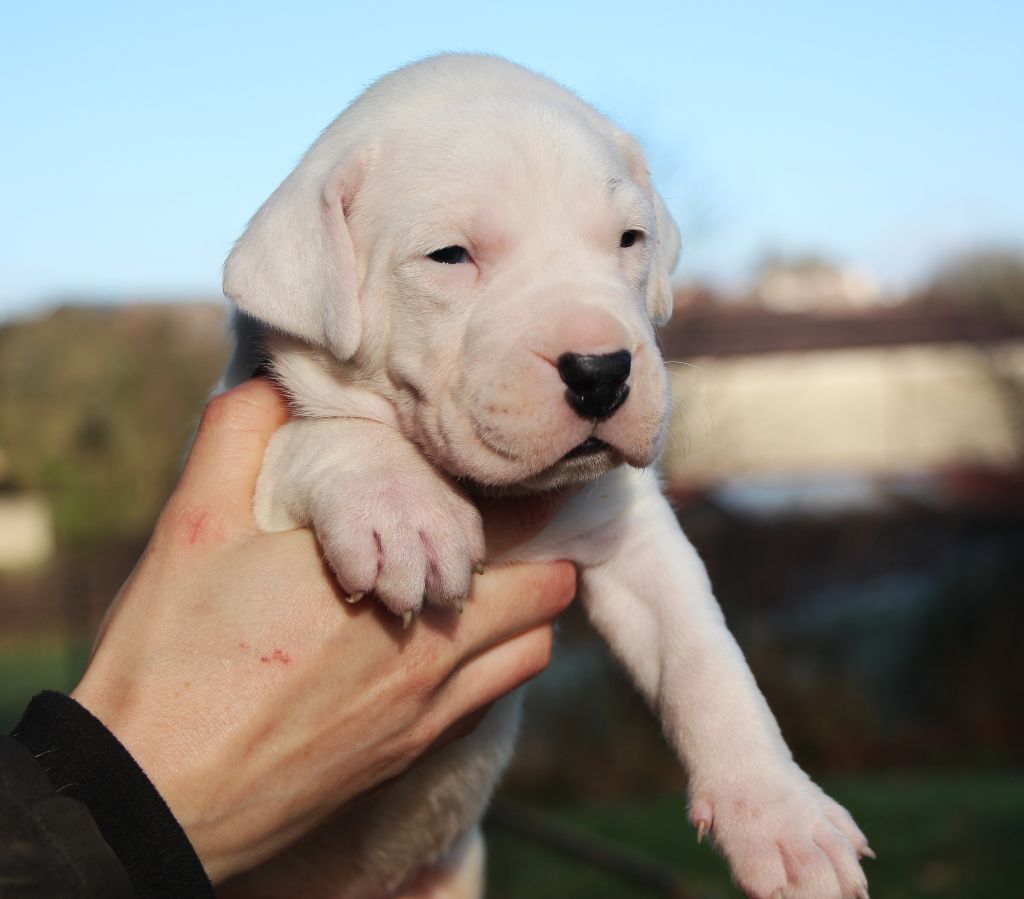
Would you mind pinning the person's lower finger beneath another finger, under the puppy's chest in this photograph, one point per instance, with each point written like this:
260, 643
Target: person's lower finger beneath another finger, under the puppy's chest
488, 677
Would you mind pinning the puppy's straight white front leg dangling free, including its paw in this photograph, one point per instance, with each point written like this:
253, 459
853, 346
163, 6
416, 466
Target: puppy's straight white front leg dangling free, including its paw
653, 603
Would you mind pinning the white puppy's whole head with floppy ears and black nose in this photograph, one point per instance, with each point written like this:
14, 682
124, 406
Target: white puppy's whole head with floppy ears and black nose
481, 249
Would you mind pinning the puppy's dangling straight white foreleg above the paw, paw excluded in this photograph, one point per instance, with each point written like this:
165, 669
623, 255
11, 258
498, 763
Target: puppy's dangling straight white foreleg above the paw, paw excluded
654, 605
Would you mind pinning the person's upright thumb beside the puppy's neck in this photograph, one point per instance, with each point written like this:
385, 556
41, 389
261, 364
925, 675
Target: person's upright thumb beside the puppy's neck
228, 453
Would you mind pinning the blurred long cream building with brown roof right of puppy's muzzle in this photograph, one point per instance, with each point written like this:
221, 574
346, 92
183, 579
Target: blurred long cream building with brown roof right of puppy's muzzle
824, 398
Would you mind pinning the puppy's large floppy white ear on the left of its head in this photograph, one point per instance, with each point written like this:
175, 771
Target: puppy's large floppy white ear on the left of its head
294, 268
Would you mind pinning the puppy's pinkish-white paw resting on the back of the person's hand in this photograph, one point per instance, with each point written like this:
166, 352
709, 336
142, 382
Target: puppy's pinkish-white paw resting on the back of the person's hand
406, 537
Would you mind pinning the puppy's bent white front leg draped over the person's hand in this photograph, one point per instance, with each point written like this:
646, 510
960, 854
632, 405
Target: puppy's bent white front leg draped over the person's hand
388, 522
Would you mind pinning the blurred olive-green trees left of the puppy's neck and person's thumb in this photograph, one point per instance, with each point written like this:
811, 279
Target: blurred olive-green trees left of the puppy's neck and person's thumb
98, 406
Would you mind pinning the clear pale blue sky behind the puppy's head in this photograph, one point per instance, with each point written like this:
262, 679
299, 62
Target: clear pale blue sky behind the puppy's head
141, 138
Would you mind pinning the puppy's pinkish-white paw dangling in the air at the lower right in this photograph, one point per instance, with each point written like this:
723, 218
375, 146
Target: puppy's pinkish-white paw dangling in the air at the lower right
784, 838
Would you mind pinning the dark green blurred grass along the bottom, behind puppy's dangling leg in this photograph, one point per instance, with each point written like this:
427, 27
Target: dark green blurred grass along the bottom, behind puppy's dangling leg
938, 836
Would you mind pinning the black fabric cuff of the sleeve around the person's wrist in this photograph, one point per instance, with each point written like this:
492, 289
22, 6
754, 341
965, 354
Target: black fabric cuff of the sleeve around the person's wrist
87, 764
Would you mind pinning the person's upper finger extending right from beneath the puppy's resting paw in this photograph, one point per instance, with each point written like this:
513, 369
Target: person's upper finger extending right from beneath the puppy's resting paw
508, 601
